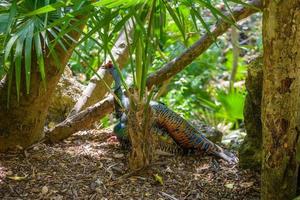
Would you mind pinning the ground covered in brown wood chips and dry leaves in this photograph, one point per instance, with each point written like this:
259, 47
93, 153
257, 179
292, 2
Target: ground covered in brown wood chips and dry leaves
91, 166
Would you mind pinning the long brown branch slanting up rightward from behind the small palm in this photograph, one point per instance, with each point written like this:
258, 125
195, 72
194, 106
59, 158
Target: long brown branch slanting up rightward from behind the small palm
179, 63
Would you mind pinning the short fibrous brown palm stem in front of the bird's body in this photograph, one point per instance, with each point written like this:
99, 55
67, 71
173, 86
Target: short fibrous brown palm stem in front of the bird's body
140, 121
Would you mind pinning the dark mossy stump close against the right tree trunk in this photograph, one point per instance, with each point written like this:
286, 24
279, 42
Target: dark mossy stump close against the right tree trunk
251, 150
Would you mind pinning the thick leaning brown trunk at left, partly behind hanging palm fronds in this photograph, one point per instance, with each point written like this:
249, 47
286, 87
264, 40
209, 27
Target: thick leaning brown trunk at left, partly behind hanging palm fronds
22, 123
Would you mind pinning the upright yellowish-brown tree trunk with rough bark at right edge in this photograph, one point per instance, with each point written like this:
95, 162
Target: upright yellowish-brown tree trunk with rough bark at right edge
280, 101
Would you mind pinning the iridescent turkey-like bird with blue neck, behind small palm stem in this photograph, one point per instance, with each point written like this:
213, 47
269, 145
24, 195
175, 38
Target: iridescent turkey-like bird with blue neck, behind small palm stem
167, 124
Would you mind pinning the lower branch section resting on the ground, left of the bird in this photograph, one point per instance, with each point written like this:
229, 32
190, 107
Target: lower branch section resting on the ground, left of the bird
80, 121
